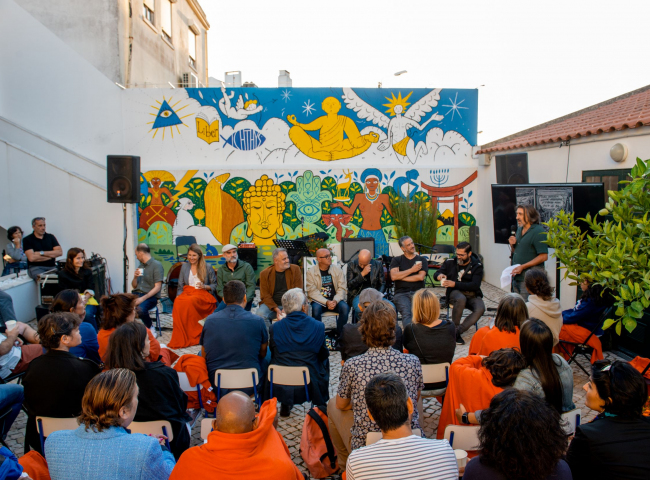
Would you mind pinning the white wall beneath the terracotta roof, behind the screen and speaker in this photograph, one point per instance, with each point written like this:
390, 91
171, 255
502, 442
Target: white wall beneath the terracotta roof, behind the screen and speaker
554, 165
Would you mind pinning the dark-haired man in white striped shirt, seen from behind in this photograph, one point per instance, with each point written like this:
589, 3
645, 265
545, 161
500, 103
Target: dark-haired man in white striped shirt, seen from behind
399, 455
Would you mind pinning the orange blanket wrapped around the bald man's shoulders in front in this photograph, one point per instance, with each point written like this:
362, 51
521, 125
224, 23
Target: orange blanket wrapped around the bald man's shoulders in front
261, 453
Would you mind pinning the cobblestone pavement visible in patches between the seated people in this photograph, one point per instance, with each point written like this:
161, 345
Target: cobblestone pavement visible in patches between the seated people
291, 427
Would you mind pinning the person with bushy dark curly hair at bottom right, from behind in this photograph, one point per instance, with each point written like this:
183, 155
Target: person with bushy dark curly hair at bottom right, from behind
520, 437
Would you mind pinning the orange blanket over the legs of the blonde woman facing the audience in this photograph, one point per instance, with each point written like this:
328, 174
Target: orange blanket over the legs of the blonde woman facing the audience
190, 307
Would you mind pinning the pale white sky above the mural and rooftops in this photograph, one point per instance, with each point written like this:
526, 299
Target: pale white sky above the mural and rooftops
531, 61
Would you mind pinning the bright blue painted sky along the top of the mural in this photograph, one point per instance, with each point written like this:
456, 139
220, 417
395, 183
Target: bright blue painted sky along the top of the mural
459, 106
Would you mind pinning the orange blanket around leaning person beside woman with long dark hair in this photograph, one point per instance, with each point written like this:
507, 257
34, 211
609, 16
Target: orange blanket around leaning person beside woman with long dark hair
470, 384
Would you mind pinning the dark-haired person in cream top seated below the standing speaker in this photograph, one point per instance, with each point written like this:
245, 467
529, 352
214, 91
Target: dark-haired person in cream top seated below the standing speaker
541, 304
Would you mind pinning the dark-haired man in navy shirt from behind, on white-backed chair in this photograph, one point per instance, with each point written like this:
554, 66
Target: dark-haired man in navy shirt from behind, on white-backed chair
234, 338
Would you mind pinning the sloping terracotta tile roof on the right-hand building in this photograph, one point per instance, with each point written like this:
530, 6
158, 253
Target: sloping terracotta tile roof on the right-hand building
631, 110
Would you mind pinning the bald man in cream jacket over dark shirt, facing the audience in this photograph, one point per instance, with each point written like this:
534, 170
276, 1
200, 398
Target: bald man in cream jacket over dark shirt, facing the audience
326, 289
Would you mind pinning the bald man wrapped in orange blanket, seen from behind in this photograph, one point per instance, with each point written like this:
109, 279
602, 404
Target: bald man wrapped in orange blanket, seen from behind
242, 445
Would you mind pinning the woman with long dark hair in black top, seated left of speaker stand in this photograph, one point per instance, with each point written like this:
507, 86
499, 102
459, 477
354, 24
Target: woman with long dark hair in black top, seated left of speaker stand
75, 276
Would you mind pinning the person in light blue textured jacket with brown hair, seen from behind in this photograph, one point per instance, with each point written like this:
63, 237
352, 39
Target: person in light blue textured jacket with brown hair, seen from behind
101, 448
